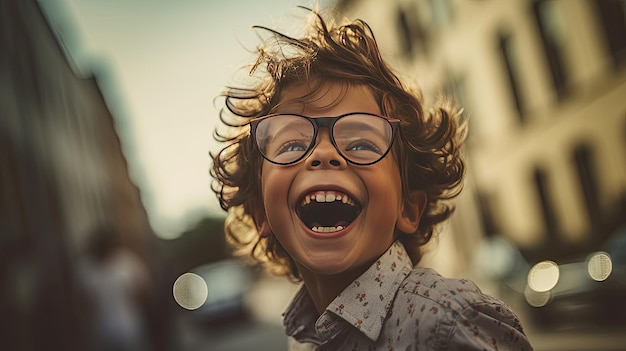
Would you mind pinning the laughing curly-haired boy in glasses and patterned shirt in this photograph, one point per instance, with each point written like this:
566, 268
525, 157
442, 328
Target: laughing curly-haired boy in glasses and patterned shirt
334, 175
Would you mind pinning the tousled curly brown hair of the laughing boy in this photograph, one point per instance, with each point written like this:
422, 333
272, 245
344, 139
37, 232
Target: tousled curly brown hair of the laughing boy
427, 149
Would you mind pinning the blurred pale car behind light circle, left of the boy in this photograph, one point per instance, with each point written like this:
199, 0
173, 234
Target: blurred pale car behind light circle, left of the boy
228, 281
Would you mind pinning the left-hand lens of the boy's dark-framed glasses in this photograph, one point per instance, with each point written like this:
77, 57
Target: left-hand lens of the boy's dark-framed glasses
284, 139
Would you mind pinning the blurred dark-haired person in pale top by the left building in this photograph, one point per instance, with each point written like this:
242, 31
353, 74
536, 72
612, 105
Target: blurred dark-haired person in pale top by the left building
117, 285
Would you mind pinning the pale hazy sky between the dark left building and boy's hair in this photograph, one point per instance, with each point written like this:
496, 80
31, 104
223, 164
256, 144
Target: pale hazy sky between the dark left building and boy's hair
165, 63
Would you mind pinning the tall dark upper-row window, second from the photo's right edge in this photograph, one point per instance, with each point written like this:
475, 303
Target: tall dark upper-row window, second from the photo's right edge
551, 26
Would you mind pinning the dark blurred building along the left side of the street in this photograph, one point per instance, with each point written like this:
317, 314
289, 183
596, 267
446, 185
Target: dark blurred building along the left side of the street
63, 173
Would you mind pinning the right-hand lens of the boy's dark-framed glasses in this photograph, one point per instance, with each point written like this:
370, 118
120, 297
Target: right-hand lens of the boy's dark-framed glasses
363, 139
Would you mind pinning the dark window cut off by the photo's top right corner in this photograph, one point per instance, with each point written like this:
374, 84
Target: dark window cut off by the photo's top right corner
612, 14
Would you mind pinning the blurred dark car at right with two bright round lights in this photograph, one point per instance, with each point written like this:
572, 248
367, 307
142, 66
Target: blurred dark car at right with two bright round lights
589, 290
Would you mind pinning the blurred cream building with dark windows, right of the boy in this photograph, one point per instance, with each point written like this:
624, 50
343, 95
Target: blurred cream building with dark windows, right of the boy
543, 84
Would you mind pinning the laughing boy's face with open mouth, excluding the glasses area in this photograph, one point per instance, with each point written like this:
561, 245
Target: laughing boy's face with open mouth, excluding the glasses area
304, 195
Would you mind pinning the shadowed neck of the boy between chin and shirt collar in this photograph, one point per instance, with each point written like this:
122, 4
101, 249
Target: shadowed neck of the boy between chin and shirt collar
323, 288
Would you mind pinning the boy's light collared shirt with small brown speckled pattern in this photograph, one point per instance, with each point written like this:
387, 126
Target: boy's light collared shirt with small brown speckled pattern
393, 306
